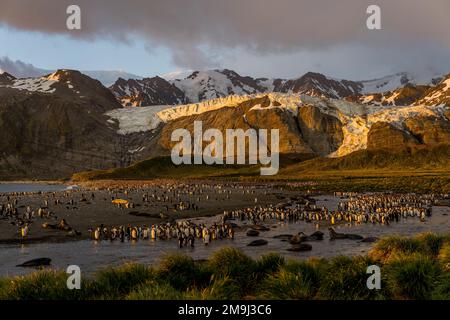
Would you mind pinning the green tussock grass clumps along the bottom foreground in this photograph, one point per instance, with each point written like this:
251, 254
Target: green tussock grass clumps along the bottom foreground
411, 268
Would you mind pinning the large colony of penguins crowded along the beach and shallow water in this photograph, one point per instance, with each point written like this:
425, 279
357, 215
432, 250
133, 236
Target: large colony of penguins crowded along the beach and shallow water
375, 208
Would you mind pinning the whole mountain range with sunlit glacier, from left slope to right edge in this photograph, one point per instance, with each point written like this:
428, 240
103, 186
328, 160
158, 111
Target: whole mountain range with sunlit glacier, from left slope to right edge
64, 122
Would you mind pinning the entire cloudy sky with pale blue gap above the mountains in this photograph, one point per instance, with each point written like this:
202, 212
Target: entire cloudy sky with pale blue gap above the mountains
261, 38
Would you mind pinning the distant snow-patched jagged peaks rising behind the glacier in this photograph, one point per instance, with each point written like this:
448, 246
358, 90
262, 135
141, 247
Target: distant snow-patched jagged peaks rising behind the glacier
205, 85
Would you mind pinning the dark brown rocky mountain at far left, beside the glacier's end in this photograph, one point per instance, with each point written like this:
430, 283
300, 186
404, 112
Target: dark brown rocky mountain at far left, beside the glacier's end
52, 135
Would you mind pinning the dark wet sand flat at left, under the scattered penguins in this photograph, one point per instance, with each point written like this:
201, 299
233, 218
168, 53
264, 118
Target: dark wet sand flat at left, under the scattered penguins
83, 215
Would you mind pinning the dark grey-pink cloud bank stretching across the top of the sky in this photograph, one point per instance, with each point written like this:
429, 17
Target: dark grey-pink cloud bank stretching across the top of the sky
200, 32
